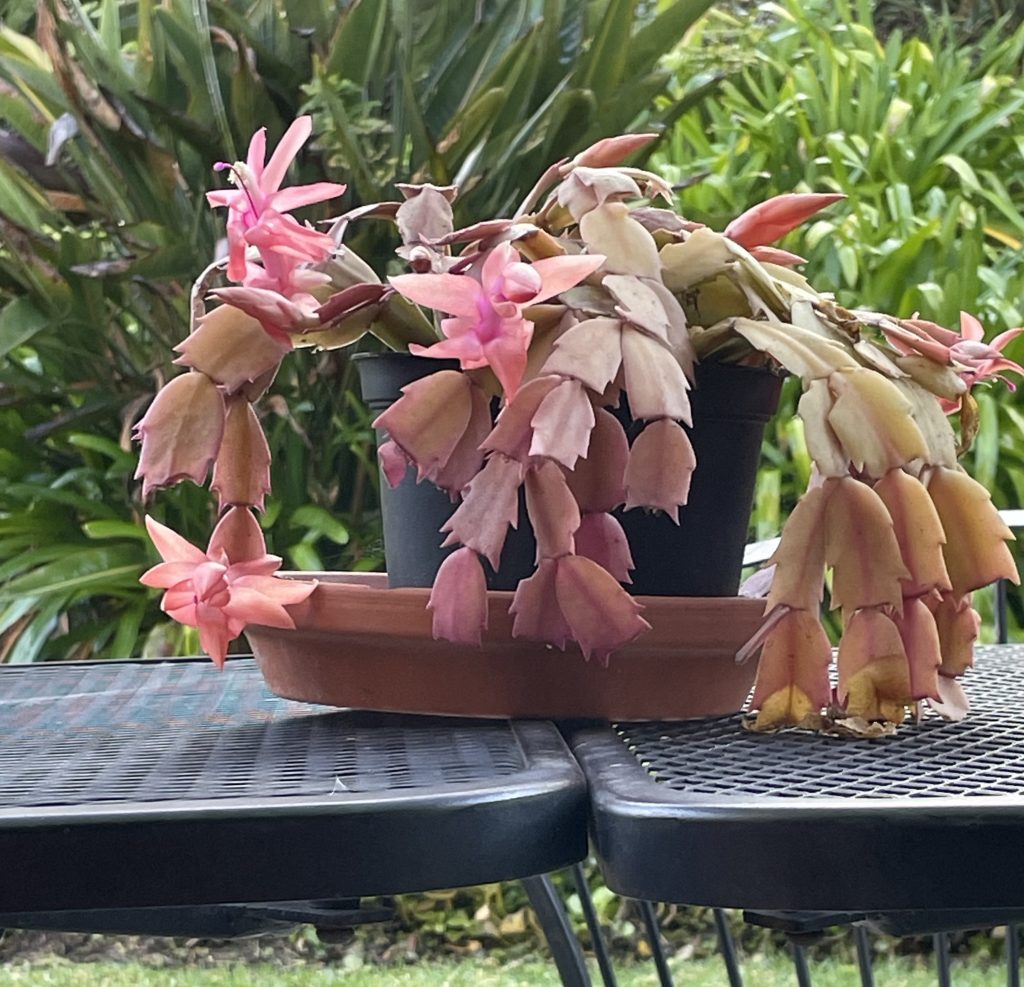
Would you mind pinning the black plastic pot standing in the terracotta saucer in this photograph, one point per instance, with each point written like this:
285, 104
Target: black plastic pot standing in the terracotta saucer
700, 557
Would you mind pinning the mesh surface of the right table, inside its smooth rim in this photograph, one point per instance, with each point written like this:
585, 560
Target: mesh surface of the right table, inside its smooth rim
983, 755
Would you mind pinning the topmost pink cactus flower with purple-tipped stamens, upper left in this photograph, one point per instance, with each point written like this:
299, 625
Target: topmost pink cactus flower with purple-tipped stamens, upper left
260, 191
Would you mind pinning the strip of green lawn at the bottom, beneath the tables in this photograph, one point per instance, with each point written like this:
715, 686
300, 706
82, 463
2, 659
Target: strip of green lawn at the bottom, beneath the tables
764, 971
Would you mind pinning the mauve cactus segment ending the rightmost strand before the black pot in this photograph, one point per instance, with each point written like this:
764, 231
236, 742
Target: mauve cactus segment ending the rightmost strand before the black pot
660, 468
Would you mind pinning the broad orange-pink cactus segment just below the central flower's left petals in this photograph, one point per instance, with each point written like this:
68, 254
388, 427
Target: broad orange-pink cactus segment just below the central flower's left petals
430, 419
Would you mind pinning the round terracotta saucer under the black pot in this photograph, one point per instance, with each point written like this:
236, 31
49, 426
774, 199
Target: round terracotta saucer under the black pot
362, 646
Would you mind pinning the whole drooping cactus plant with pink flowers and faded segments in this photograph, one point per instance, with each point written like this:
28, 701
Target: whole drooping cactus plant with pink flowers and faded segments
589, 292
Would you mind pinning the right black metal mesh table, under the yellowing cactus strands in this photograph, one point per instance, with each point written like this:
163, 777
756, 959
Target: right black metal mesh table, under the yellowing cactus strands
708, 813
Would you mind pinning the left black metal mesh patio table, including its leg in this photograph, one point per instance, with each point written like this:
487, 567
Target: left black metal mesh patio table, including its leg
170, 798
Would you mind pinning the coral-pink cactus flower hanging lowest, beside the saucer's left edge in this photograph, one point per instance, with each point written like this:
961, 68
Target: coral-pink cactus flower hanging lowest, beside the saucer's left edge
209, 591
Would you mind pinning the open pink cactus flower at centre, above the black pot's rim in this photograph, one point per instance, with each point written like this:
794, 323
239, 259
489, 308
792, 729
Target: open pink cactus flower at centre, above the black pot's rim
489, 328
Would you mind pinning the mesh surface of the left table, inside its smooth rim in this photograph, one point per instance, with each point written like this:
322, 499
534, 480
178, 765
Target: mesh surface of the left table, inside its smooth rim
155, 733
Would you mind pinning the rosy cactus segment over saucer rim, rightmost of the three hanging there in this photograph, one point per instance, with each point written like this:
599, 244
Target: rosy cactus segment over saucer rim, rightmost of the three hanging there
602, 615
